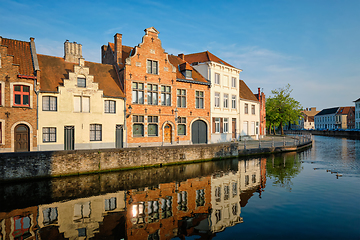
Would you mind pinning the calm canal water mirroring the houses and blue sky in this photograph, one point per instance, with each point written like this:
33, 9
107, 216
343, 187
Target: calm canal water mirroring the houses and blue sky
312, 194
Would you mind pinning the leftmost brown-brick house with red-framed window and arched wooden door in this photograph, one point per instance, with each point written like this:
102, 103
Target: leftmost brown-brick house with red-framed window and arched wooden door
18, 101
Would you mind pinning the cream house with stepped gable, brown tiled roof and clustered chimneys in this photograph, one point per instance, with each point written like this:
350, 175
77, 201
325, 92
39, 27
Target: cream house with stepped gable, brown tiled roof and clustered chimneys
81, 104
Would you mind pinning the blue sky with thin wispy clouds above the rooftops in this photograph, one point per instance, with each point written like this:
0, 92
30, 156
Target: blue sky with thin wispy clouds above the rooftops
314, 45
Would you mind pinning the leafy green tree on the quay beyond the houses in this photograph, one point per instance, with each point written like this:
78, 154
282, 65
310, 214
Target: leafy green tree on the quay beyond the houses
282, 108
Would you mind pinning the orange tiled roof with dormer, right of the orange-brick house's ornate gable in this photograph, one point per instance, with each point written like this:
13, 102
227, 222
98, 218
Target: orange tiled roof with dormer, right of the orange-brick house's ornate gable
196, 76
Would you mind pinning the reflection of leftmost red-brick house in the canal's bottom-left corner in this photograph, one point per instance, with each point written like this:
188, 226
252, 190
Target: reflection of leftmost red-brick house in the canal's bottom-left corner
18, 224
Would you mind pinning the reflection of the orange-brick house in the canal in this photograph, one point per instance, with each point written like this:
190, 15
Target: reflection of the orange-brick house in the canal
167, 210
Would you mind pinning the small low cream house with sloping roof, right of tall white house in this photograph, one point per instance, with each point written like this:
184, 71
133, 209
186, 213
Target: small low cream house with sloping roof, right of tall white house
249, 113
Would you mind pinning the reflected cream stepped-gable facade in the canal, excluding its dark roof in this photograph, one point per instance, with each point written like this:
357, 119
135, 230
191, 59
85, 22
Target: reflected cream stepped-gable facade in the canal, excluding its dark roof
81, 218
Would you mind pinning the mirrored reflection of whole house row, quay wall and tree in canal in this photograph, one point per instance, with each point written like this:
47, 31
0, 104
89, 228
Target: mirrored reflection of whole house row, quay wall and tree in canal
163, 203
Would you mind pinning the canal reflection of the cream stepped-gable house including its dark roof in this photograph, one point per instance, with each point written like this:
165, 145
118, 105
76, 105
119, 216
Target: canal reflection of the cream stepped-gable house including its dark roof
83, 218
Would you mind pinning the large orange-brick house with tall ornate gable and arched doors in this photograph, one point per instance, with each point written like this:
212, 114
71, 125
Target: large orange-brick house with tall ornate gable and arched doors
167, 101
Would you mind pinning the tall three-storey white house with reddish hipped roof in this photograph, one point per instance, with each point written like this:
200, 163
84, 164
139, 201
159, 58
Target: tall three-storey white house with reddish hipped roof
224, 95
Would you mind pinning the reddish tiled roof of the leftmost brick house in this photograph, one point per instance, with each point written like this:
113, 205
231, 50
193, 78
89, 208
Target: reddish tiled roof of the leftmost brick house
22, 55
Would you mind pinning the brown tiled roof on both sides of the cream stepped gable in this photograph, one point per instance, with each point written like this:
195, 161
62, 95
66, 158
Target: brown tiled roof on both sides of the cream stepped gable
54, 70
